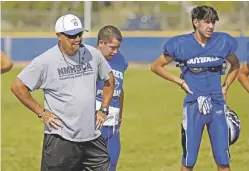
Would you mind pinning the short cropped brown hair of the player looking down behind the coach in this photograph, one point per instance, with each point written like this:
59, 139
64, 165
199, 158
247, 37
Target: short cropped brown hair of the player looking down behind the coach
109, 32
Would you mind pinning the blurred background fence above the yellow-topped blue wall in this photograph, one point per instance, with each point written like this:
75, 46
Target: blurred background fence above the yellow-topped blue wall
129, 19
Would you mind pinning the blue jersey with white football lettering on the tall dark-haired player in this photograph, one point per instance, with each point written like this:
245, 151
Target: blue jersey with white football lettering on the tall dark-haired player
185, 48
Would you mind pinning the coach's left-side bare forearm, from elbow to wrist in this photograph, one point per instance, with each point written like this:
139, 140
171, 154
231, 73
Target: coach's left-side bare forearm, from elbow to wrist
24, 96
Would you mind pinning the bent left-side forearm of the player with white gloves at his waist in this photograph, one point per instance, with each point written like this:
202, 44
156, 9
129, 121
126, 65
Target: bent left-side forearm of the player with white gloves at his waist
162, 72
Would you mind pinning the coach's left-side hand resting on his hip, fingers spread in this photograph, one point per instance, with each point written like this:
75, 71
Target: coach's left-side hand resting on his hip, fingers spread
49, 119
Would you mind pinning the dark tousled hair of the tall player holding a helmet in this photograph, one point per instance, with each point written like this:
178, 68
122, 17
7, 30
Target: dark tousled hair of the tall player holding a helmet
204, 12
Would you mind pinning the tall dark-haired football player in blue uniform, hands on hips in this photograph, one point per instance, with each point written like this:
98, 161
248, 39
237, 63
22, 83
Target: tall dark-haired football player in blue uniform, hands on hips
202, 57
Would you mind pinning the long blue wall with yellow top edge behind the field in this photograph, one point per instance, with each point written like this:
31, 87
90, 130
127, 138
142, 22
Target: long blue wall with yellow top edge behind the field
135, 49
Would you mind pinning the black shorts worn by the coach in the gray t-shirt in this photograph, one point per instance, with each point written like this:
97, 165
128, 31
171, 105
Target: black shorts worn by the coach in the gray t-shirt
59, 154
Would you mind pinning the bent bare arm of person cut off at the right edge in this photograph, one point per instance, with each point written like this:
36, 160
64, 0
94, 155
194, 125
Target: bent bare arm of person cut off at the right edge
243, 75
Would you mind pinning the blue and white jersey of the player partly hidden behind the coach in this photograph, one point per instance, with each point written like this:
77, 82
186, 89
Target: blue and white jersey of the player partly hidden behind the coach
118, 65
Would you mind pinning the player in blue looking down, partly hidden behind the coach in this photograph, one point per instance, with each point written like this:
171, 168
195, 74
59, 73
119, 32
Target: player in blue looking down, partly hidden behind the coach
109, 40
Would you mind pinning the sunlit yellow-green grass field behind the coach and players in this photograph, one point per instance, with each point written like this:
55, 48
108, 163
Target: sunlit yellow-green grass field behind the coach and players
150, 135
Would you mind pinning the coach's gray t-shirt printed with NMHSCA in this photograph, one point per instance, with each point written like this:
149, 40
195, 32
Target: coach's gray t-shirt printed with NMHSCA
69, 86
